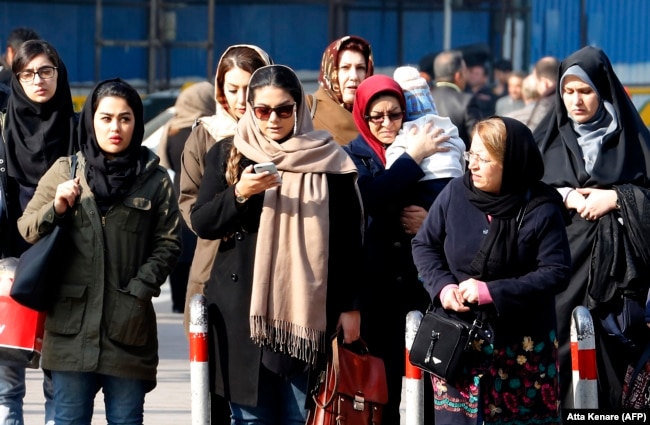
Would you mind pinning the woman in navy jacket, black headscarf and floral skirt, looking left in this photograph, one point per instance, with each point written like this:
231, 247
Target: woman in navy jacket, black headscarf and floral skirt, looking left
494, 239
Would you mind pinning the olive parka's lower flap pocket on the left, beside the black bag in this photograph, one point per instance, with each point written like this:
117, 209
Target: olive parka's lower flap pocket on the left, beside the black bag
66, 317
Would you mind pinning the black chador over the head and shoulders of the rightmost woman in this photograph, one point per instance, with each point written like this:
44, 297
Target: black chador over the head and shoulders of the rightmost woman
624, 156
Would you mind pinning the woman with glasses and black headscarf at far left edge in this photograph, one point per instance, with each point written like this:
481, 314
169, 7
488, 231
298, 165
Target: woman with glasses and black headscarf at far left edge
39, 127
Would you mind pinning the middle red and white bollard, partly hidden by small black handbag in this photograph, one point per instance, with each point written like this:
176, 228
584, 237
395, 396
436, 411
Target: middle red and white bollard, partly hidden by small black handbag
412, 403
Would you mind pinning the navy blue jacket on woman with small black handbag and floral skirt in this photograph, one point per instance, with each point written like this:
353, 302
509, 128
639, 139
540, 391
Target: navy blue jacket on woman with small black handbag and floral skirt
451, 236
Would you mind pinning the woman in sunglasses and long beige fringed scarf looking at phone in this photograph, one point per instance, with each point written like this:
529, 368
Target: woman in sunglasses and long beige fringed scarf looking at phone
284, 278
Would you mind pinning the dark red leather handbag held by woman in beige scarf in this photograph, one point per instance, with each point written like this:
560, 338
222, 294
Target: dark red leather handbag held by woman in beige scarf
352, 390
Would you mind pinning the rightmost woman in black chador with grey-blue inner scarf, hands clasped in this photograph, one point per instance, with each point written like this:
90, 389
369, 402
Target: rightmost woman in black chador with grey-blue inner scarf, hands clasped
596, 151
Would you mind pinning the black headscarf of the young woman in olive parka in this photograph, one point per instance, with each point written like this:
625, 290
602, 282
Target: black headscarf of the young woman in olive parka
110, 179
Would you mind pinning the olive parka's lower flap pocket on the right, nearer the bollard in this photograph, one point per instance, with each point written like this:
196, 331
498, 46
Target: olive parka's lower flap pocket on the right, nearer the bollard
129, 319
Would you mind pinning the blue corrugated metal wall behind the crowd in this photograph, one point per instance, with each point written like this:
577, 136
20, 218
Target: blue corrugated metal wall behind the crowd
297, 34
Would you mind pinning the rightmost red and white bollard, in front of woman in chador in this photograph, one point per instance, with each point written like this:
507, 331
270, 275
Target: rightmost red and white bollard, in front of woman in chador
583, 360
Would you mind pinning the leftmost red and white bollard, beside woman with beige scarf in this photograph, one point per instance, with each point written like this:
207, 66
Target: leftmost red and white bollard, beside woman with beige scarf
199, 375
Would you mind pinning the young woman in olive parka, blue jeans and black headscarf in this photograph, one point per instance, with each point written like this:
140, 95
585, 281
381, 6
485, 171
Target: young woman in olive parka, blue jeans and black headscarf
124, 240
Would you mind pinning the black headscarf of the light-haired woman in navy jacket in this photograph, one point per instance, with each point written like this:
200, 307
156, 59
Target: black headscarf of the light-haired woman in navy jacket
521, 191
